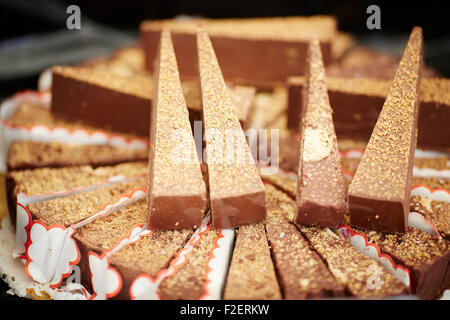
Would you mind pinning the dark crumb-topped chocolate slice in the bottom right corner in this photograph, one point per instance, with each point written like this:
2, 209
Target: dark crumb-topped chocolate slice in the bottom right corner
426, 257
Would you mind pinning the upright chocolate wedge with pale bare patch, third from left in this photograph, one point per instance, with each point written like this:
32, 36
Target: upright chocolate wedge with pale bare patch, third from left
321, 198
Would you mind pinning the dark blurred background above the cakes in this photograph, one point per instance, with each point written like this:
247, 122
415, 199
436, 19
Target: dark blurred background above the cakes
33, 33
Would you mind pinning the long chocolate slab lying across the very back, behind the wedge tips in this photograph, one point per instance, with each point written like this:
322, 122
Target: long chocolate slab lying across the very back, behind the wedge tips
278, 44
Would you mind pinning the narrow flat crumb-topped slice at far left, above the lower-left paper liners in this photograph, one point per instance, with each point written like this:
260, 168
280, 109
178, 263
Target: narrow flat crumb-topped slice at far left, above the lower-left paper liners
49, 180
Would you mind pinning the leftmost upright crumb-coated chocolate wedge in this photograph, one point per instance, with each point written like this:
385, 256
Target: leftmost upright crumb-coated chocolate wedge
177, 192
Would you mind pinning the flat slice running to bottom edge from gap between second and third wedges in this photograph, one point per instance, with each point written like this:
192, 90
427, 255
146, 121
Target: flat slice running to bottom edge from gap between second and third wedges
301, 272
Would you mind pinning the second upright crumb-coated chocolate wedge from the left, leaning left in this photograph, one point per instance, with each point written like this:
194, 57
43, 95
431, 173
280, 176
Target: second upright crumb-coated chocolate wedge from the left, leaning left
236, 191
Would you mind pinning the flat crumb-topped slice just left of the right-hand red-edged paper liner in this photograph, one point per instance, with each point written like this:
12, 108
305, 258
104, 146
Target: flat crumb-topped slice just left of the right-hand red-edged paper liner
362, 276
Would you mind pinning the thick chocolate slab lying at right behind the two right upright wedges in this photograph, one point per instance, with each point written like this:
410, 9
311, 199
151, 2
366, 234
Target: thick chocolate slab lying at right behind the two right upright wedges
358, 102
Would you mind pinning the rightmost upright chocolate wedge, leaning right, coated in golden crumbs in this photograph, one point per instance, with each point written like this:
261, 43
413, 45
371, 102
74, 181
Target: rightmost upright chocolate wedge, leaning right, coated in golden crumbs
379, 192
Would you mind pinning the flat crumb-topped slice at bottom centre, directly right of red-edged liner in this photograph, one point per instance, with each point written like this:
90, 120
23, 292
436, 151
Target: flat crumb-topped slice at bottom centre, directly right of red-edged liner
251, 275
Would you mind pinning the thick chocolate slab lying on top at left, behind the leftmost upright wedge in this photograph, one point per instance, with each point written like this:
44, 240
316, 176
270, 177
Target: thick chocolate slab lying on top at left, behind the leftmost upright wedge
120, 103
